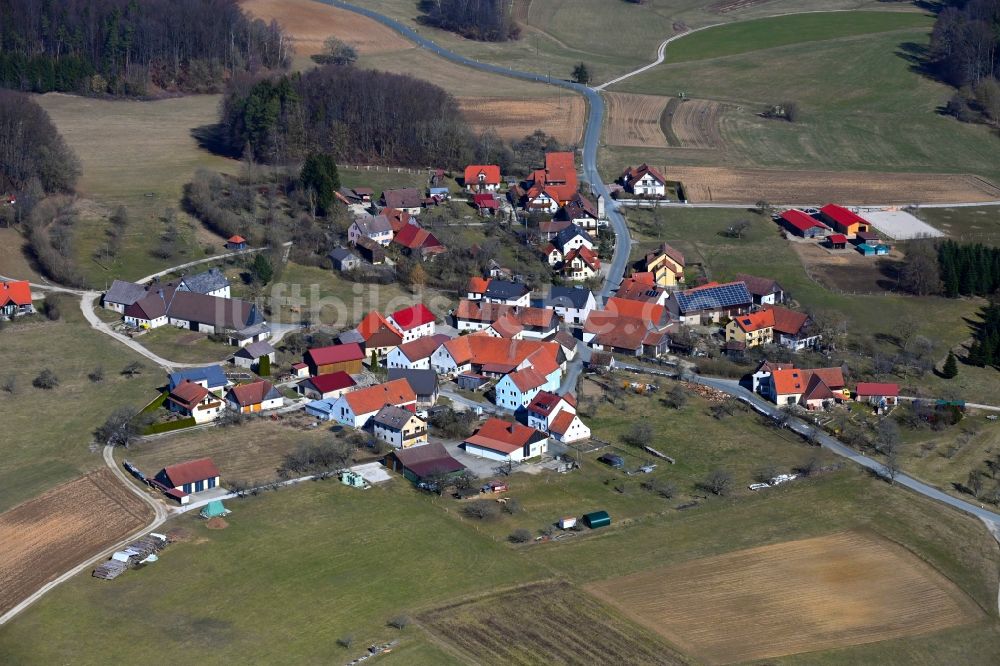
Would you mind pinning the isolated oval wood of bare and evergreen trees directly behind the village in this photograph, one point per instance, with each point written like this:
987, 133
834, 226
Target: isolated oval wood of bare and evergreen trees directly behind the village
358, 116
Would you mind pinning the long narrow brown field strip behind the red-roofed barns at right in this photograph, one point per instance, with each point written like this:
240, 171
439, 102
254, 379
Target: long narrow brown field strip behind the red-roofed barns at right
729, 185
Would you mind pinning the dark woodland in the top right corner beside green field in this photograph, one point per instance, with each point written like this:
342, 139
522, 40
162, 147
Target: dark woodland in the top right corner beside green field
965, 52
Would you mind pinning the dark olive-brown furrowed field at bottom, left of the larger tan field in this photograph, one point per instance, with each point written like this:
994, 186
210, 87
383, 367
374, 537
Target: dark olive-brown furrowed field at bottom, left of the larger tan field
544, 623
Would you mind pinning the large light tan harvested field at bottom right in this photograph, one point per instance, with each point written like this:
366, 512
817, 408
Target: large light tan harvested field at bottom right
799, 596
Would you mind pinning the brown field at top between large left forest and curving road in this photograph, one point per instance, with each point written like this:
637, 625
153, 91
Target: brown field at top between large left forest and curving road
309, 23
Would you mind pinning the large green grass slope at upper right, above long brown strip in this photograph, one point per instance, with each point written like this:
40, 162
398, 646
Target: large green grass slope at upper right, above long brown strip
871, 111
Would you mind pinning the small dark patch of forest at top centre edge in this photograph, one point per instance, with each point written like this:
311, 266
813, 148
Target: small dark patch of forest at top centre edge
485, 20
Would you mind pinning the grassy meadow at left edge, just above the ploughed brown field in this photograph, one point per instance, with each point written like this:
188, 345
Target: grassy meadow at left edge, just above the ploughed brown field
47, 433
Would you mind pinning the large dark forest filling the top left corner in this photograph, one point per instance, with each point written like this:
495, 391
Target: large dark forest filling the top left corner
132, 48
